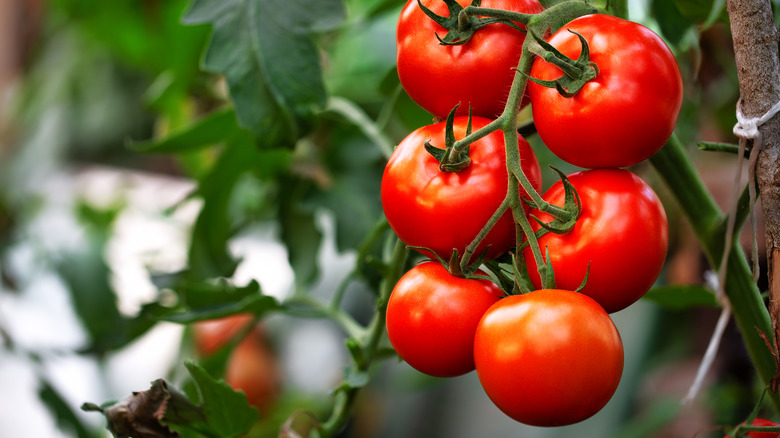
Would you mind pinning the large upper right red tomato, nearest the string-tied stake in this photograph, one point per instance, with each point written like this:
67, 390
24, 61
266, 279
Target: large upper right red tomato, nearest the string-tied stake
627, 112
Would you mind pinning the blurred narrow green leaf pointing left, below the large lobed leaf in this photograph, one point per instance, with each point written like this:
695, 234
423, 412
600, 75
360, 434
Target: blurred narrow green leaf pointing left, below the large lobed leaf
212, 129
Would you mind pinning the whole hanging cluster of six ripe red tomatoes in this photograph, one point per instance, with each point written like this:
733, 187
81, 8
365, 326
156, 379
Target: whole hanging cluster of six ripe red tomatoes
551, 356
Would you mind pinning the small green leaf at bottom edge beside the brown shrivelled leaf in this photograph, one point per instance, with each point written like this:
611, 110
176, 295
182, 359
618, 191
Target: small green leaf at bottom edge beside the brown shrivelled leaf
227, 411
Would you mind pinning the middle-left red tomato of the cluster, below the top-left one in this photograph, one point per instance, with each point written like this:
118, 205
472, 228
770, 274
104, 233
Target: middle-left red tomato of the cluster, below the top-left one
444, 210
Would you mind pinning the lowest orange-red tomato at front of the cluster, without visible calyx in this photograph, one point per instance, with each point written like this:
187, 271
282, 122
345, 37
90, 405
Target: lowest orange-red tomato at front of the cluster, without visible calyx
548, 358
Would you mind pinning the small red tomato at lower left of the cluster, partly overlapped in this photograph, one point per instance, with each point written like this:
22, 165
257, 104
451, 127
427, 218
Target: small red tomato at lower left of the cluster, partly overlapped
432, 316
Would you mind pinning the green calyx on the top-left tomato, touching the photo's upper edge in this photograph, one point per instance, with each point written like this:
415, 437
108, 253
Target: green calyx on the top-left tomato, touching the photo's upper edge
462, 23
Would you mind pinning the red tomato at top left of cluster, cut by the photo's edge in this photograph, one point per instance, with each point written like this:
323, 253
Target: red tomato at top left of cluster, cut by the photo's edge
478, 73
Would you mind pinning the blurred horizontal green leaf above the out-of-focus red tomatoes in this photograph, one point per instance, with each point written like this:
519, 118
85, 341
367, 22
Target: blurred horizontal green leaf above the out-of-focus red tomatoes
204, 301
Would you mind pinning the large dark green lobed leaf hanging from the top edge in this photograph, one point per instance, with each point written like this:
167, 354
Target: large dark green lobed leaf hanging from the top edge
266, 52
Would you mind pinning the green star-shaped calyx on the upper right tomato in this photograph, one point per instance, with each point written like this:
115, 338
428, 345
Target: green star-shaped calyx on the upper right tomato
576, 72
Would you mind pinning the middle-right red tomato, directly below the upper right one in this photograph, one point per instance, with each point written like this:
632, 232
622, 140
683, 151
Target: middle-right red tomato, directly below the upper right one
622, 232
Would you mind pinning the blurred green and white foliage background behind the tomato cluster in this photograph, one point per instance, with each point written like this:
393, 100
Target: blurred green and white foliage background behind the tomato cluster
164, 162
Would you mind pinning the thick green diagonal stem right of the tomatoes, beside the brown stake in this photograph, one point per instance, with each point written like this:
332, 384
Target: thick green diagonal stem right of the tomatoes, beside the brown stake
750, 313
